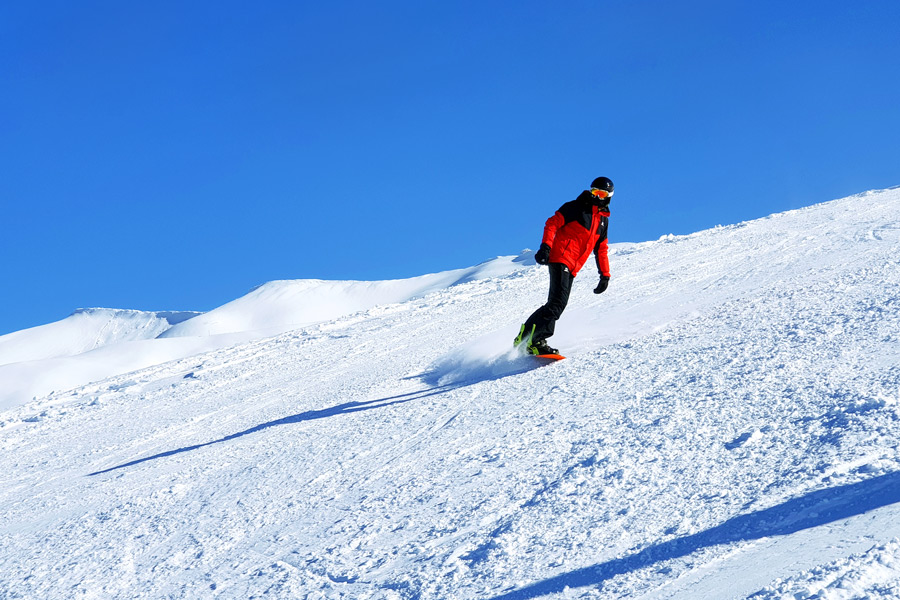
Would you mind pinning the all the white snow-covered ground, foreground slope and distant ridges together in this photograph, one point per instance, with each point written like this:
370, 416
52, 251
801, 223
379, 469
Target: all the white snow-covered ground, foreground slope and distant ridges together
727, 425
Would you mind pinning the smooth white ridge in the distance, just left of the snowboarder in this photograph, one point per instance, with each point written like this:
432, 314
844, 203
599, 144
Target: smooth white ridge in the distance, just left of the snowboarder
279, 306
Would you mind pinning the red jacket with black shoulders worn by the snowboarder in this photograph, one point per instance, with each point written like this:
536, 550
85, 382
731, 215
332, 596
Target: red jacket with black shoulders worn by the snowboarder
575, 230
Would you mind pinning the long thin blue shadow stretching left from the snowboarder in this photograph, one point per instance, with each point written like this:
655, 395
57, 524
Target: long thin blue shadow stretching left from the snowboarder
309, 415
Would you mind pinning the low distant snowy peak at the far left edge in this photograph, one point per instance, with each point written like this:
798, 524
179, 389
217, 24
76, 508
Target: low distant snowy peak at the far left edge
84, 330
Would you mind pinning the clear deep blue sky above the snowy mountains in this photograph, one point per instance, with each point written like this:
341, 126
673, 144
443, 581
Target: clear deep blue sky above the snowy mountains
170, 156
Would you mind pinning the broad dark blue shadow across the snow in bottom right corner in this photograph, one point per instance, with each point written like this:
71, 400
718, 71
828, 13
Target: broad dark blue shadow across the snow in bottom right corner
811, 510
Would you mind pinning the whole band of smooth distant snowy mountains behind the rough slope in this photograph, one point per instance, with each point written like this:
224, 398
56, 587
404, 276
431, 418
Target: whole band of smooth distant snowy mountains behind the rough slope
94, 344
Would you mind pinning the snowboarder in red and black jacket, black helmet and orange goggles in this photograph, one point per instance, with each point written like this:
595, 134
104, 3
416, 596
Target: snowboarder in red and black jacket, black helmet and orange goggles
570, 235
